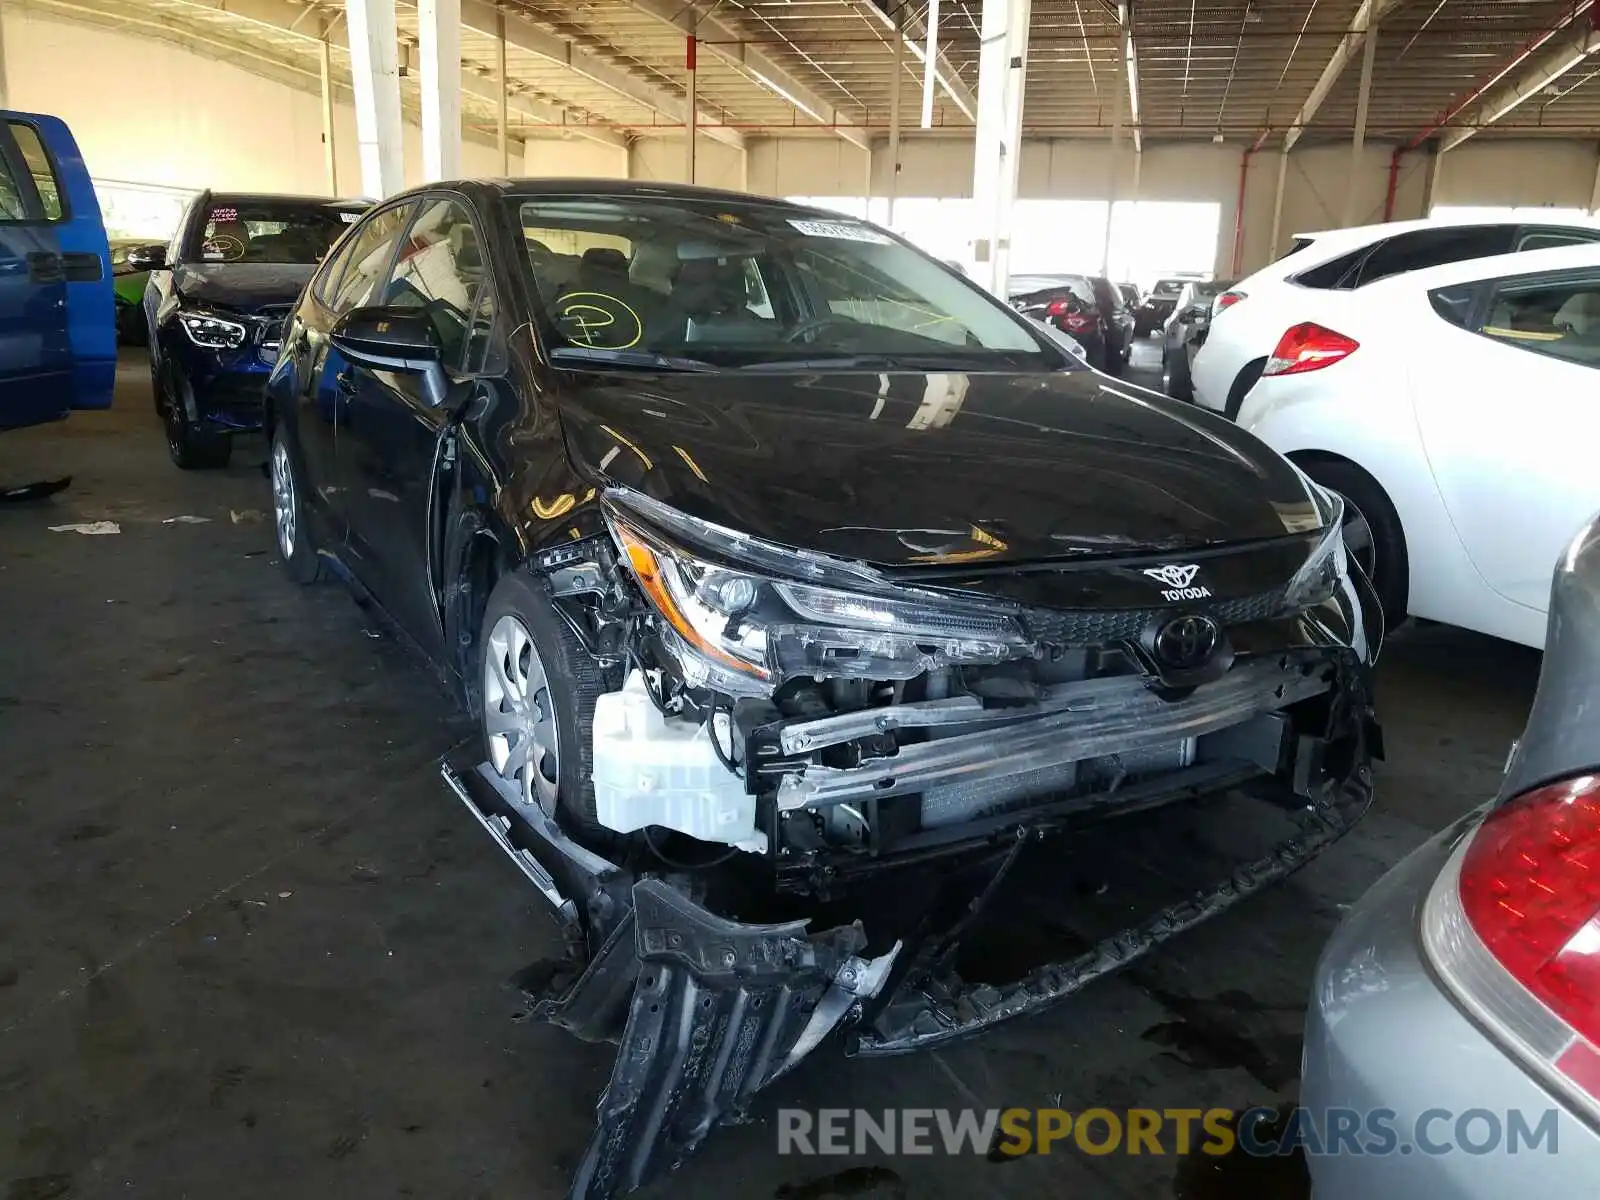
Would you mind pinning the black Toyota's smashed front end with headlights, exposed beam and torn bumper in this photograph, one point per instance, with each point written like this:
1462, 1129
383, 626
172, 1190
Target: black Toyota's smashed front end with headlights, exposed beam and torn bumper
793, 729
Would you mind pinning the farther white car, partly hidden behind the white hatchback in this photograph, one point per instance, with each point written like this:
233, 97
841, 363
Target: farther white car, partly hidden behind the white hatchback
1346, 260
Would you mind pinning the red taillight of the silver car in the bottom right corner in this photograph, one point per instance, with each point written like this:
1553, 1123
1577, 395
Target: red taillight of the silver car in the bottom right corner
1530, 889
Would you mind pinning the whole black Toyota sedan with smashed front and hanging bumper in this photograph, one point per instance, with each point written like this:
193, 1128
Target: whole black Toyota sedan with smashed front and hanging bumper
775, 561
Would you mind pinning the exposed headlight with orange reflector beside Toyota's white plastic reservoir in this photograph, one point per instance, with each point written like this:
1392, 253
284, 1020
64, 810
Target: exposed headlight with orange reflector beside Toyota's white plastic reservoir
745, 631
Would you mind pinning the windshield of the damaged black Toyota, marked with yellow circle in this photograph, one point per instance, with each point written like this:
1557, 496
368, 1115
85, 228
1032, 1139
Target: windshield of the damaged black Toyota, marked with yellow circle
730, 284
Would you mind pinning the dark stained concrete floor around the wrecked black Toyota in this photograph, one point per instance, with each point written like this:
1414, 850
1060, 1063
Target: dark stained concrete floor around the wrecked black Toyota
252, 948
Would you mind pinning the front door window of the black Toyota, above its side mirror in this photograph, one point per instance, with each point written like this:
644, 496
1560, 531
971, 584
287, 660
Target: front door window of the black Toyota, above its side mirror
441, 271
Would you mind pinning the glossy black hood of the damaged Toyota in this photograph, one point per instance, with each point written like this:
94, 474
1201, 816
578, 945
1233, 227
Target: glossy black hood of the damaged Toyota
908, 470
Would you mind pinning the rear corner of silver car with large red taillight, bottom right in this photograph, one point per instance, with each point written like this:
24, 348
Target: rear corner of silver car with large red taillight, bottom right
1455, 1022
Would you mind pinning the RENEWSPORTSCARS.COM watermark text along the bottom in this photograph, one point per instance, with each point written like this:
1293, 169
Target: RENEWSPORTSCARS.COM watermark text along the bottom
1263, 1132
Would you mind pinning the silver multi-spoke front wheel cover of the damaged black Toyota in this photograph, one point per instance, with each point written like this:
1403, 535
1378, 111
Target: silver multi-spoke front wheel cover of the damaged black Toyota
519, 716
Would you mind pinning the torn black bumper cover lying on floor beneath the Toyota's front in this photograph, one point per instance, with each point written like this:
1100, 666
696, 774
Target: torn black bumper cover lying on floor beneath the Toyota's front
710, 1010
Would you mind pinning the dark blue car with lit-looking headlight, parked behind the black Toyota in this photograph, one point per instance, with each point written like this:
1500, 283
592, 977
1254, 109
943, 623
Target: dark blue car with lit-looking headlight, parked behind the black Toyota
217, 303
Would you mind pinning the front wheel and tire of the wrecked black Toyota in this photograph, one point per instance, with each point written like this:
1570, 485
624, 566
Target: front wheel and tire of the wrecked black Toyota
522, 618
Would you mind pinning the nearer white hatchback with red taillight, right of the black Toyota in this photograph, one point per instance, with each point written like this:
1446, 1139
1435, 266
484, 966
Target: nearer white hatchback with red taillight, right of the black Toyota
1454, 410
